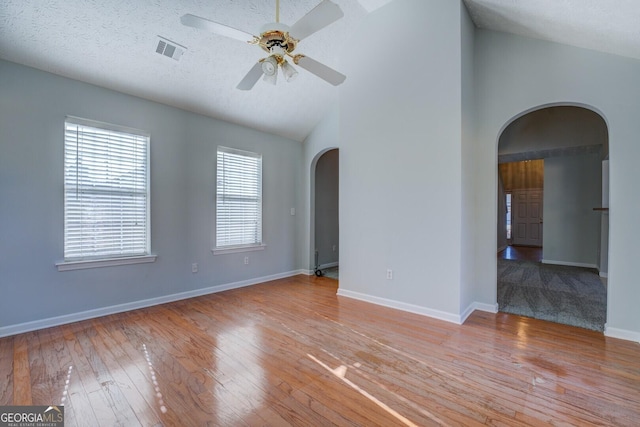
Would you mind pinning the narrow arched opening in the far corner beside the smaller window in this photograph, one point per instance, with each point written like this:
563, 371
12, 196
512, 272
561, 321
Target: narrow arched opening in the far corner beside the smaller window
325, 213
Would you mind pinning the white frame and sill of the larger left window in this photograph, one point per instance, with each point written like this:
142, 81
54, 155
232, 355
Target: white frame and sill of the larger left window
87, 261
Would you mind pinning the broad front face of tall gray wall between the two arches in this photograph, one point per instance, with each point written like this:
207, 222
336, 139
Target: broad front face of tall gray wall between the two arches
400, 159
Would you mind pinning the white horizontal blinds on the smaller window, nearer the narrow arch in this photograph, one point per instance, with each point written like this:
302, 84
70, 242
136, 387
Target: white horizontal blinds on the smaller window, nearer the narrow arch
239, 198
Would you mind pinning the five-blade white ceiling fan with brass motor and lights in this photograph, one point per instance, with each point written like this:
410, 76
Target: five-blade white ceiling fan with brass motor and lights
279, 41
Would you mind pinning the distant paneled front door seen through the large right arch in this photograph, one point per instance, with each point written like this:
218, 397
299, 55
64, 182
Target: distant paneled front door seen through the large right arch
527, 217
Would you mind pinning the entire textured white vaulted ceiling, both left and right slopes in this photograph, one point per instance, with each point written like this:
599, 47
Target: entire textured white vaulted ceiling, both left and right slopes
112, 43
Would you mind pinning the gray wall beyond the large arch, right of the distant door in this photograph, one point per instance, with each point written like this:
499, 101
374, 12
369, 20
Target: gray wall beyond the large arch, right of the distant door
571, 228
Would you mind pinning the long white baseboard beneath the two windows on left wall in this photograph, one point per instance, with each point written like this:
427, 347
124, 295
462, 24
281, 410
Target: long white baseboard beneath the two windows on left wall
6, 331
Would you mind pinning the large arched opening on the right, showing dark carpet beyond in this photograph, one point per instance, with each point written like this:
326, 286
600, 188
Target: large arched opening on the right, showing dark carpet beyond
552, 216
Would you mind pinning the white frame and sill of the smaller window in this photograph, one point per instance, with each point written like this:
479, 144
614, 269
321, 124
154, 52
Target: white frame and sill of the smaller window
245, 247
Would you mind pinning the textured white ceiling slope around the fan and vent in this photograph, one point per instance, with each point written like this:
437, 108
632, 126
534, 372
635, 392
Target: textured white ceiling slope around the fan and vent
112, 43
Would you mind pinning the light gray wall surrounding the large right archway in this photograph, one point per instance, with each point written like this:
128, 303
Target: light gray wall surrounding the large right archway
515, 75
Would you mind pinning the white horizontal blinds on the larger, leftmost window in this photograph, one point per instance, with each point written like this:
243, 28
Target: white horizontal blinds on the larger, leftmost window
106, 191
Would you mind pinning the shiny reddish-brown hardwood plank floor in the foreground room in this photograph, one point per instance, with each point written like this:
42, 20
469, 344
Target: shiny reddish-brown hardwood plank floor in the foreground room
291, 352
